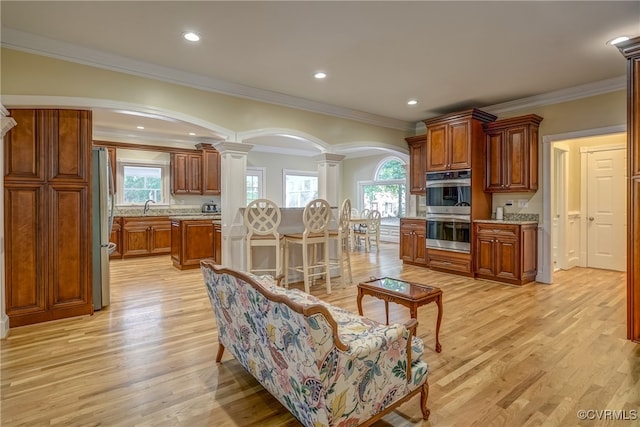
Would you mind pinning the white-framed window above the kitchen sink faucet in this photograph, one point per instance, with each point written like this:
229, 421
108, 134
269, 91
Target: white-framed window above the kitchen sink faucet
141, 181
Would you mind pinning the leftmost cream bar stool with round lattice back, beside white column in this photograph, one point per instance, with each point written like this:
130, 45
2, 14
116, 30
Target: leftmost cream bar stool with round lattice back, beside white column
262, 218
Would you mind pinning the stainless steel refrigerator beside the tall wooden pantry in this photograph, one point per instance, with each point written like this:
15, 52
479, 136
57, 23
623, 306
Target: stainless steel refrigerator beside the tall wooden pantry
102, 220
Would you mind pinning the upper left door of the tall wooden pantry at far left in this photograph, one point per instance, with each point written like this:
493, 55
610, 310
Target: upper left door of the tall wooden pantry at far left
24, 148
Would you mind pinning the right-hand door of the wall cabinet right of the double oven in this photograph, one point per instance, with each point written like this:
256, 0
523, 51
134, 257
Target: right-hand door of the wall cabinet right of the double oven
516, 156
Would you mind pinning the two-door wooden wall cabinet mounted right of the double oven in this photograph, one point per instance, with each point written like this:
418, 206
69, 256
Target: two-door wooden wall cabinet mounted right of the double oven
512, 154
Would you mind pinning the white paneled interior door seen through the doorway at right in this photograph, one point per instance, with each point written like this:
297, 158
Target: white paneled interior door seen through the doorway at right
606, 210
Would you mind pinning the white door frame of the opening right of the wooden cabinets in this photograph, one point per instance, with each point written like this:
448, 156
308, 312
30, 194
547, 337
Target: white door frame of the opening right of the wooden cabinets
545, 248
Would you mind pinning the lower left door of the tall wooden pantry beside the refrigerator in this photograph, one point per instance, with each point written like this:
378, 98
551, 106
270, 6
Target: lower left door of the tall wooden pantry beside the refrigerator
24, 250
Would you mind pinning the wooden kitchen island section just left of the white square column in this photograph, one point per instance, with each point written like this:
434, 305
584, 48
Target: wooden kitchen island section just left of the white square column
195, 237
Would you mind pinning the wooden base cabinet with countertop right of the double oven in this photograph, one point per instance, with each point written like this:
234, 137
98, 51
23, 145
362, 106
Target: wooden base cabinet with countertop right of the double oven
506, 252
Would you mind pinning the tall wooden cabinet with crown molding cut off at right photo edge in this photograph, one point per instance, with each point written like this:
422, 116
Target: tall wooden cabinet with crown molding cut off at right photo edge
631, 50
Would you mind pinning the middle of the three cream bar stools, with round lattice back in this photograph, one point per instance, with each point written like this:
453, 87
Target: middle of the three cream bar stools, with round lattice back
315, 217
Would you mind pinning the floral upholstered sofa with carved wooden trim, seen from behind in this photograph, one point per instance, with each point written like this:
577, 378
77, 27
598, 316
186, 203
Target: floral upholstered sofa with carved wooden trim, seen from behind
326, 365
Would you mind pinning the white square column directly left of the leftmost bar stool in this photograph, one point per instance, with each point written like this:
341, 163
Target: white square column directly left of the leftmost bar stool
233, 196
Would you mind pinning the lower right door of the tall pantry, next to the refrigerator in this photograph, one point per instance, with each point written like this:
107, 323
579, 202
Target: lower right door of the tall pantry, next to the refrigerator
69, 251
